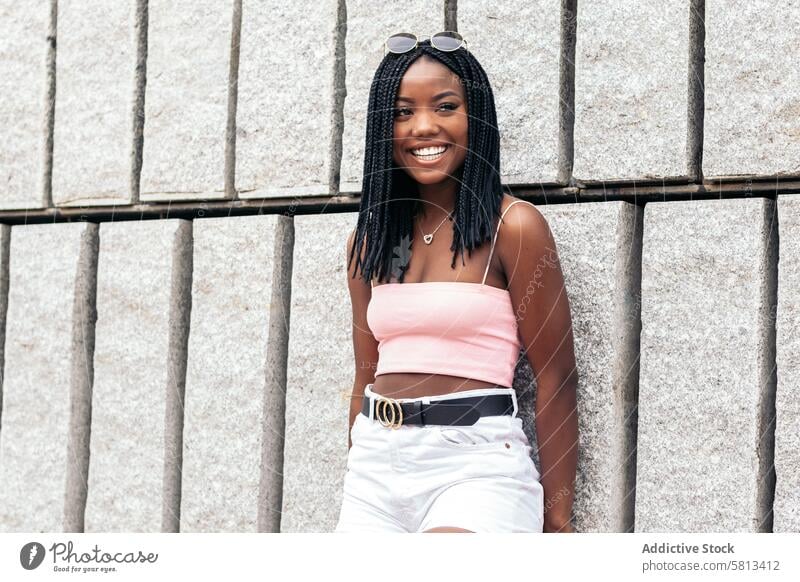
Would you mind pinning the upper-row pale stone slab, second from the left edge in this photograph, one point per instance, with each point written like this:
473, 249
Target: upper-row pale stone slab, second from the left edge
95, 70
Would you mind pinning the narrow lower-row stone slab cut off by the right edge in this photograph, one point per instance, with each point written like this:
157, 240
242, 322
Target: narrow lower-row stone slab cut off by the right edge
787, 400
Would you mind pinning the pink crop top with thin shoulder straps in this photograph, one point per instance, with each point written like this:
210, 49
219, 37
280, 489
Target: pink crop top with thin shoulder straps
468, 330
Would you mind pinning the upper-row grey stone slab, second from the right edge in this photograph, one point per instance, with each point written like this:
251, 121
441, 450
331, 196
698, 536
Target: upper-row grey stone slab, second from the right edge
630, 90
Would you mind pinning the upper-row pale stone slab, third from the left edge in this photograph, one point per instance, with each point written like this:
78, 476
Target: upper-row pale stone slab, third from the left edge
186, 106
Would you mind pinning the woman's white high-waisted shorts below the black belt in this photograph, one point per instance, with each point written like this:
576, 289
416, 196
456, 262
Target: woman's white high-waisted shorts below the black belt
478, 477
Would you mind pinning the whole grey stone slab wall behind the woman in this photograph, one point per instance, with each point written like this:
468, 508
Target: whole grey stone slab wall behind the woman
193, 373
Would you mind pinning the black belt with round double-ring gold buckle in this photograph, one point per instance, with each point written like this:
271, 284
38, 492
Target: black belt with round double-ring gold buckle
451, 411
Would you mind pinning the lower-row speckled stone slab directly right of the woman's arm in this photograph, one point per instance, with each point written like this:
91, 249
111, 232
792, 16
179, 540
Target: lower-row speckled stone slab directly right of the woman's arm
599, 245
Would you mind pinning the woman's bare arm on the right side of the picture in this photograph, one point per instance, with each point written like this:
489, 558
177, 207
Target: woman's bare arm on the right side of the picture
530, 260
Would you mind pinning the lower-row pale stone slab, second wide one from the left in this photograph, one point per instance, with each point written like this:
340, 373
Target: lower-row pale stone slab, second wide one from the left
126, 471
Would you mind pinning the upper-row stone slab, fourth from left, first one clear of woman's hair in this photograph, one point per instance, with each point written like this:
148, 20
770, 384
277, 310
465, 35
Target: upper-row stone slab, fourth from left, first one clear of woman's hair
285, 102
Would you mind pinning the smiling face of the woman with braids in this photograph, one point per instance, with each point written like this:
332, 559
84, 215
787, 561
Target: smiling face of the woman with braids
430, 123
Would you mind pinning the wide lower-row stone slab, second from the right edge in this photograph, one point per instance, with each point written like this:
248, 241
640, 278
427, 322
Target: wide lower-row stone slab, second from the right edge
704, 442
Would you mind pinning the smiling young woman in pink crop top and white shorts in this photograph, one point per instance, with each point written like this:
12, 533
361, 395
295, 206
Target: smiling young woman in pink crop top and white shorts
436, 443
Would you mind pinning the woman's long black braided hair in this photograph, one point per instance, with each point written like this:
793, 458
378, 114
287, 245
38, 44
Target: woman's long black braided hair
390, 197
